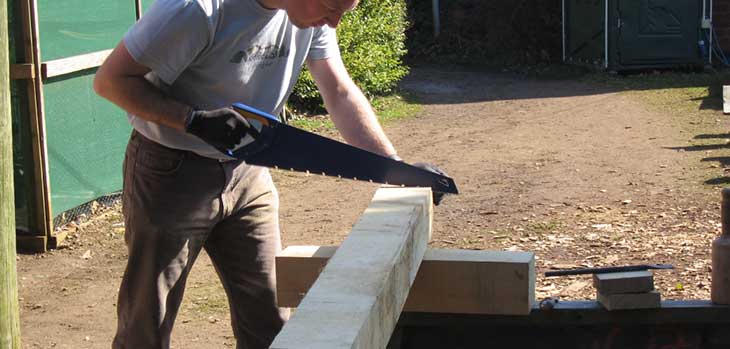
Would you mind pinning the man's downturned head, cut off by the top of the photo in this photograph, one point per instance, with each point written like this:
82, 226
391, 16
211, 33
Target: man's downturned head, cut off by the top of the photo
314, 13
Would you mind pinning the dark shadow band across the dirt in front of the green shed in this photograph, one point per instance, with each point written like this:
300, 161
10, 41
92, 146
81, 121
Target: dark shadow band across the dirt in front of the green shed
454, 85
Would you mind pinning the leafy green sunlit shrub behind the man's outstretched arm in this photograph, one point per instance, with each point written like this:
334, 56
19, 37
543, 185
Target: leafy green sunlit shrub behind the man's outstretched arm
372, 42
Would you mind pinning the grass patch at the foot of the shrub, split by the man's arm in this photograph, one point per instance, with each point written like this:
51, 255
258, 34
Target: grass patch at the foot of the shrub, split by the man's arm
388, 108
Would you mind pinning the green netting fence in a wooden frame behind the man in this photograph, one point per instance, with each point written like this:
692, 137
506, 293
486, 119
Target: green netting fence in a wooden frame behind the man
85, 134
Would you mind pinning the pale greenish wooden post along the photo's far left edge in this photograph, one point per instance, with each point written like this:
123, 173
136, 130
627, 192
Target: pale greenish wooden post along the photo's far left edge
9, 316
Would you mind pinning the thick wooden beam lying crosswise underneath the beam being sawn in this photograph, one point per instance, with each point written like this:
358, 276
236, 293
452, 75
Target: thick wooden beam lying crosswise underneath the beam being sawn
448, 281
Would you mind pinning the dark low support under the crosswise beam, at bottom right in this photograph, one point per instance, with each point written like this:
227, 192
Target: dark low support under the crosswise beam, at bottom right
579, 325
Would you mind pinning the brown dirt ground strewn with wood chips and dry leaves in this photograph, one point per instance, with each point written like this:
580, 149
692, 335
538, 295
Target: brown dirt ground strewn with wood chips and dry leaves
579, 172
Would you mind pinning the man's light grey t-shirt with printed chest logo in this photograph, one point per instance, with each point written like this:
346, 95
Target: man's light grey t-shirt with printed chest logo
210, 54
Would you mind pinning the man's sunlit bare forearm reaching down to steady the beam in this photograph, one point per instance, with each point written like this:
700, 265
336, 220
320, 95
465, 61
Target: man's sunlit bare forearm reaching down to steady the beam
350, 110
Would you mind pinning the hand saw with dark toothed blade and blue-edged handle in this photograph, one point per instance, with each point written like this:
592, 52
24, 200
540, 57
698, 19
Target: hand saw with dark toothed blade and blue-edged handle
274, 144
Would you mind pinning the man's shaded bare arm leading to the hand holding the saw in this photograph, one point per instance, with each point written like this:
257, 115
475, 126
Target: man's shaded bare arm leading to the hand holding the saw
121, 80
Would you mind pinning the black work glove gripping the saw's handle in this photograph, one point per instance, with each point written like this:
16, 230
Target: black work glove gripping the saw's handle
222, 128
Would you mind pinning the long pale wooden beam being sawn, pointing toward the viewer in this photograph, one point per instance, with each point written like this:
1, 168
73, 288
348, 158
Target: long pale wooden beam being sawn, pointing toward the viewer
356, 301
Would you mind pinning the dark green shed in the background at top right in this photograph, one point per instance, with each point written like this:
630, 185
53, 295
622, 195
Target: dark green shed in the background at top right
637, 34
